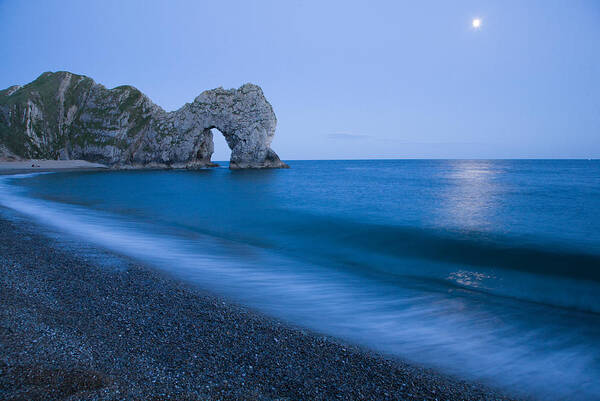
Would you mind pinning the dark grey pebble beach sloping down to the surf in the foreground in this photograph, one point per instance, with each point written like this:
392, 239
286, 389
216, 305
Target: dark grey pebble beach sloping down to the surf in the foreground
73, 327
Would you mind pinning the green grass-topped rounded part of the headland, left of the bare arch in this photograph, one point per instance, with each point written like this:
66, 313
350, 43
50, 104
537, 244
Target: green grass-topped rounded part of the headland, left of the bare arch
43, 118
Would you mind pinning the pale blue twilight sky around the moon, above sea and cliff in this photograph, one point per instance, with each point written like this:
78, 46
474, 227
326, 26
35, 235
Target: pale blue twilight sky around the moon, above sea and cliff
346, 79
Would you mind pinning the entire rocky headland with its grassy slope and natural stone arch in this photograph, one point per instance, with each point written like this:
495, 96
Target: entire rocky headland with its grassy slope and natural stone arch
67, 116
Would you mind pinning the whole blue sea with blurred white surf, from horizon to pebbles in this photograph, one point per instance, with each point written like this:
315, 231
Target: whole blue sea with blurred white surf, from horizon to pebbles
488, 270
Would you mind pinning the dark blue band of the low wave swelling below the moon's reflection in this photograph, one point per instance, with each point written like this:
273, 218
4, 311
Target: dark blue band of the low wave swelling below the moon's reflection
470, 248
